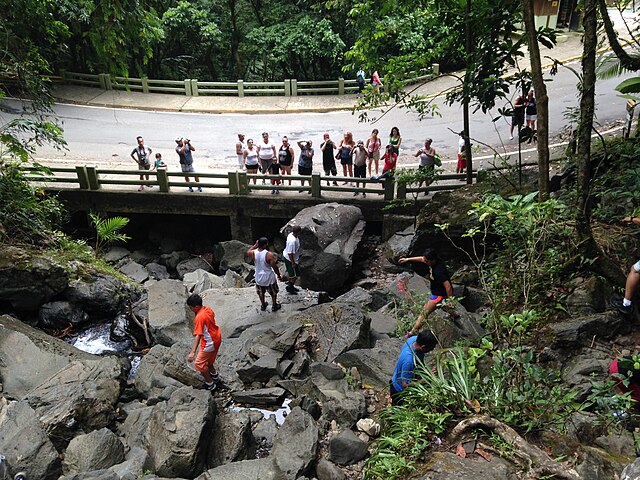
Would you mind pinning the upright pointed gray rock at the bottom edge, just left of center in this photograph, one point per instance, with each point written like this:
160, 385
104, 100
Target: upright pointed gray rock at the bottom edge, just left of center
295, 445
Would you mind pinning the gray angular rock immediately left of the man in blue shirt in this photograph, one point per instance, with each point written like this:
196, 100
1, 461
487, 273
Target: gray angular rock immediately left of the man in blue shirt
374, 364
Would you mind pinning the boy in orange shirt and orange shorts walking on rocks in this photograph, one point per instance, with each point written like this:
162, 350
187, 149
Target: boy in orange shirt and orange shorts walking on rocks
207, 335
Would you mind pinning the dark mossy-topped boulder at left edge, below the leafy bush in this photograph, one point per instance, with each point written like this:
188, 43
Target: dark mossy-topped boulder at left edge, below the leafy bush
29, 280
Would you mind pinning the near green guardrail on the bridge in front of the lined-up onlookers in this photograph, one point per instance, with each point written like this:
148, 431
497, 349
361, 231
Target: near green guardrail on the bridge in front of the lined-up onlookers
88, 177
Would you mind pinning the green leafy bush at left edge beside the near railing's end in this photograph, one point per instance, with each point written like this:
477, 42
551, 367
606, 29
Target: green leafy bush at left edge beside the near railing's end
27, 214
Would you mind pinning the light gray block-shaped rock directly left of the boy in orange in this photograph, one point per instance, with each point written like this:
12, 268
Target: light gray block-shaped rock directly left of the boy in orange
169, 319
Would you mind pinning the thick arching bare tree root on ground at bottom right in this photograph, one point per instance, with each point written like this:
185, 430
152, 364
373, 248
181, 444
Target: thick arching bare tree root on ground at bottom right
535, 462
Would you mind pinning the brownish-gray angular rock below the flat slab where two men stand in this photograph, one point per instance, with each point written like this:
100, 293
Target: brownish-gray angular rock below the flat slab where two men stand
339, 327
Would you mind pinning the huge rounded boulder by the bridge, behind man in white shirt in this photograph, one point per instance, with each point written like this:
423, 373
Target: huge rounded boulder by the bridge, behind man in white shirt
330, 235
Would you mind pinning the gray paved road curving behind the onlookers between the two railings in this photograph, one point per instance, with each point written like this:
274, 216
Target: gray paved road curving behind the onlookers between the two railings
106, 136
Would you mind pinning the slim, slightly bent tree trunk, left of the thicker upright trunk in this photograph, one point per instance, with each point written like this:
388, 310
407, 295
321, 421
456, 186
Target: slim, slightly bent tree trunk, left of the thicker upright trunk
542, 100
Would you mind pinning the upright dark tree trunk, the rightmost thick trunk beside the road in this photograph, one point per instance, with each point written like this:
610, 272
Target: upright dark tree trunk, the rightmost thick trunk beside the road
583, 156
